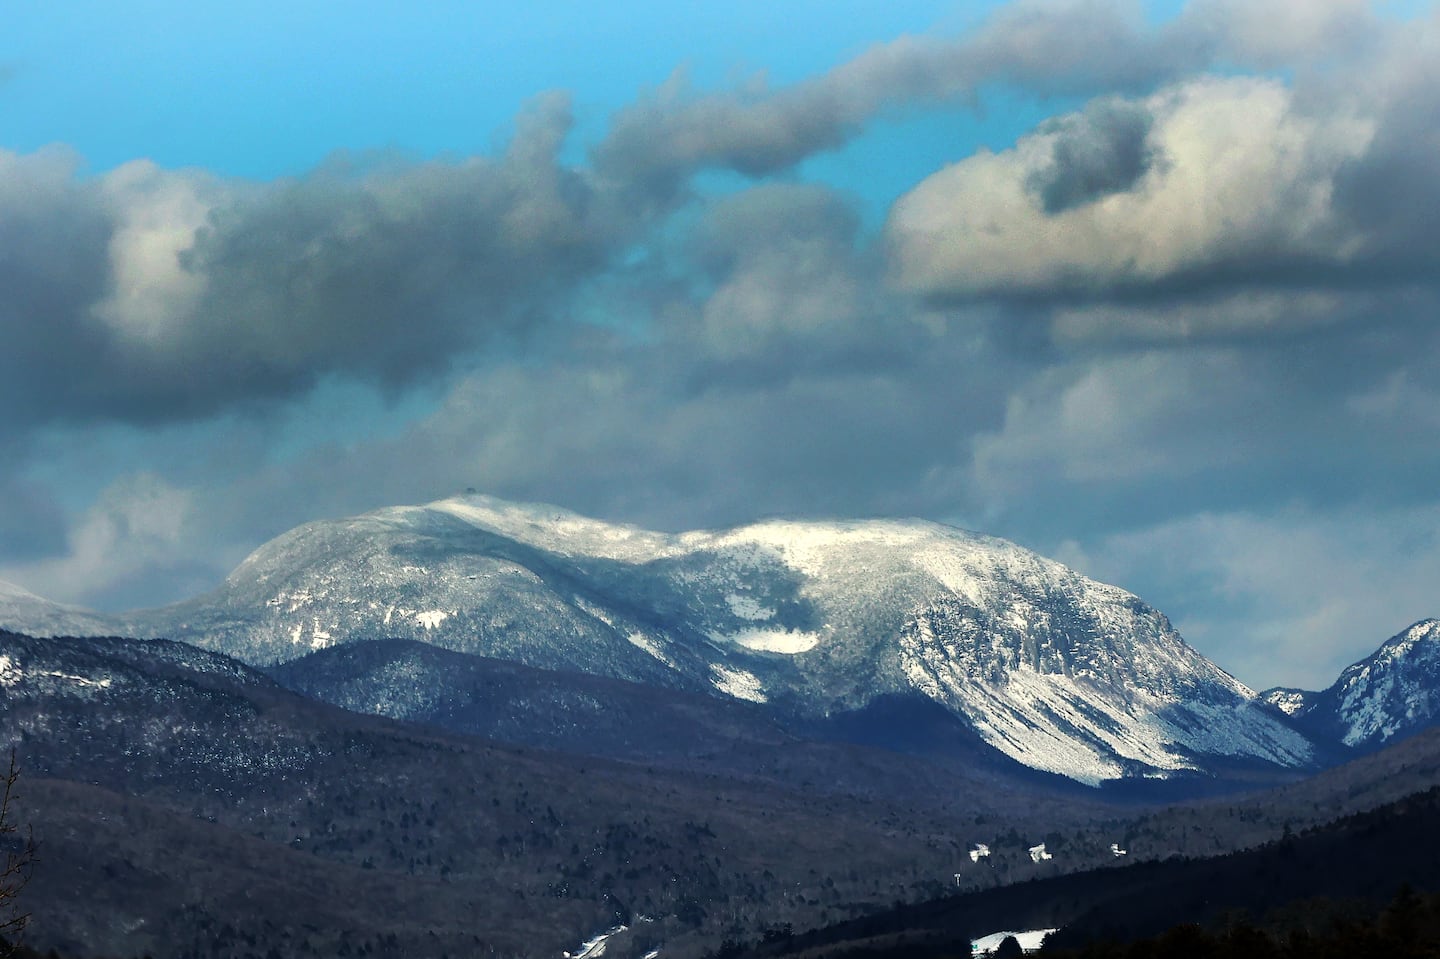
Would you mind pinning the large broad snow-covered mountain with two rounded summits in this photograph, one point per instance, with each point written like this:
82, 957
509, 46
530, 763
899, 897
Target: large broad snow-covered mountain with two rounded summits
1052, 669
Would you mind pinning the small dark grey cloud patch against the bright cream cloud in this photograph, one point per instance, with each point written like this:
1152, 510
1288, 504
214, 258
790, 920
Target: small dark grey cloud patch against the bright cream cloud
1104, 150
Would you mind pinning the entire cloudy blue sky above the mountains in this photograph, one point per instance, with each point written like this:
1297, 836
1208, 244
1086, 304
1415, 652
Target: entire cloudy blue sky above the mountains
1147, 289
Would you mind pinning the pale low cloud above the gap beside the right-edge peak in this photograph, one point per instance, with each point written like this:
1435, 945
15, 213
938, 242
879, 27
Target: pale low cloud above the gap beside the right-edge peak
1288, 597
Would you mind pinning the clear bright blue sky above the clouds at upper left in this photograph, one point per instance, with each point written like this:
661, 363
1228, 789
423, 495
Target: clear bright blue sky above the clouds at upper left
266, 90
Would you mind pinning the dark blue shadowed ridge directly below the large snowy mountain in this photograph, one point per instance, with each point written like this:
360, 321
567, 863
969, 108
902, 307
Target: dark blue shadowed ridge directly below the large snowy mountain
908, 749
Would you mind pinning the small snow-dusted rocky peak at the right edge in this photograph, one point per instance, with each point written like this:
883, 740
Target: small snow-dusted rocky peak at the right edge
1392, 693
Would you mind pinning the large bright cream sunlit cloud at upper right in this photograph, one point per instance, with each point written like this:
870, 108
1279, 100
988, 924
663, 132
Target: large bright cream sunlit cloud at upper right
1209, 188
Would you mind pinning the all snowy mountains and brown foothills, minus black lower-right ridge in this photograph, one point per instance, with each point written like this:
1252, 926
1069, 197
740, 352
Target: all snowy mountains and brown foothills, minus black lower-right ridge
482, 728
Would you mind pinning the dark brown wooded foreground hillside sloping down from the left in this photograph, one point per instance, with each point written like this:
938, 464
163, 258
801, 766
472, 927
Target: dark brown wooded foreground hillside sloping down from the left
186, 804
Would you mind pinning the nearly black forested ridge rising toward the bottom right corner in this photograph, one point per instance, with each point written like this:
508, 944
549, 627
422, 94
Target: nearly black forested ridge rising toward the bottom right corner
1331, 881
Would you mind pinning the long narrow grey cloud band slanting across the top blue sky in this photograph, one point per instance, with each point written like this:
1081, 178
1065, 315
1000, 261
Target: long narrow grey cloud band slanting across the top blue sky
1069, 48
